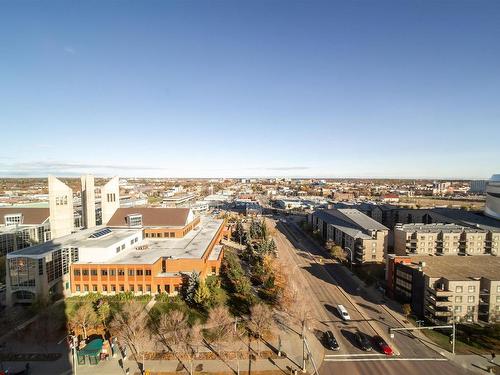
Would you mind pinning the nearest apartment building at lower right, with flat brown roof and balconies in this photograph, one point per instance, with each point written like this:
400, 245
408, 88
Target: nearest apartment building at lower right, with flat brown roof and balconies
443, 289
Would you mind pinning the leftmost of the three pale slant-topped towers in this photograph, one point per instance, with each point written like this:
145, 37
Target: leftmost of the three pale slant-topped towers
61, 218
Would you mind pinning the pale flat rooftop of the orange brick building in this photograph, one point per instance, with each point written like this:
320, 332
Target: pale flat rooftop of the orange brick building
192, 246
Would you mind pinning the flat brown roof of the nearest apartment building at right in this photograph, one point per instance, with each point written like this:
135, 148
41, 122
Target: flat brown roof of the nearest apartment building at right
459, 267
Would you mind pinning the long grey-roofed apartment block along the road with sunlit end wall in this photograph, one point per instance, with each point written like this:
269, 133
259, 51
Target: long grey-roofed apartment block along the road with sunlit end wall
355, 232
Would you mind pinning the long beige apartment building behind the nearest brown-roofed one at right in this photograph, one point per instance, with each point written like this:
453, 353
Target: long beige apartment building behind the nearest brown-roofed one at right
444, 239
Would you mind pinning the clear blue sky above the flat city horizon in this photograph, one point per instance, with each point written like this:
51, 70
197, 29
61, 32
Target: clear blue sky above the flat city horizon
250, 88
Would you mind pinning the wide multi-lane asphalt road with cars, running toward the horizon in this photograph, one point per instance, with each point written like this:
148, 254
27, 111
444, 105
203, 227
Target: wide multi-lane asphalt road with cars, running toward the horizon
332, 284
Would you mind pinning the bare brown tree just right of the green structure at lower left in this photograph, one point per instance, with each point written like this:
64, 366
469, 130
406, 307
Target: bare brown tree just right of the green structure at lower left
130, 326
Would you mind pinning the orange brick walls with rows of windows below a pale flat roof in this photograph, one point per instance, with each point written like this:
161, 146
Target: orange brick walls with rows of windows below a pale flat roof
144, 278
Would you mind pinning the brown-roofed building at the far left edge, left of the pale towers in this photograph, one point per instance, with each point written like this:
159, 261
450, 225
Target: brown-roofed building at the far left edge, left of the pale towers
23, 227
